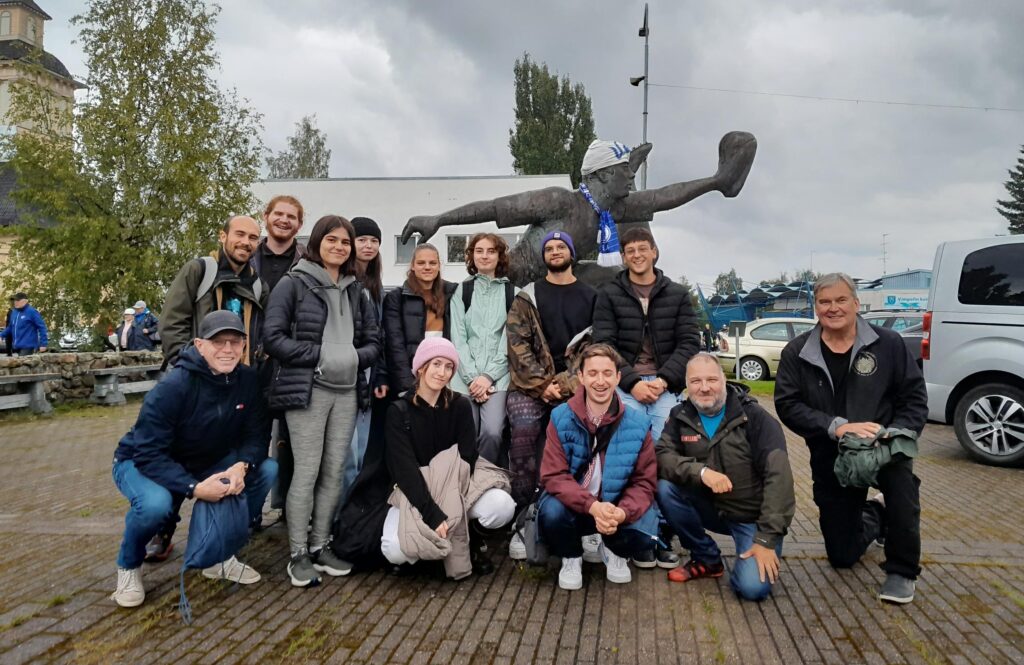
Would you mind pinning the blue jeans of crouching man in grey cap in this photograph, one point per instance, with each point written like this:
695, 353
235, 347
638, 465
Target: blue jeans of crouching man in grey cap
153, 506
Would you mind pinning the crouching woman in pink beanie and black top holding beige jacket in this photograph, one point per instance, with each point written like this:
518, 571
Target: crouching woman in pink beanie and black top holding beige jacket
425, 424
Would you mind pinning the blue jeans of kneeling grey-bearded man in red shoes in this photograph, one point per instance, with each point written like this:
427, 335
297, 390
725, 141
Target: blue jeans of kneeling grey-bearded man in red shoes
690, 513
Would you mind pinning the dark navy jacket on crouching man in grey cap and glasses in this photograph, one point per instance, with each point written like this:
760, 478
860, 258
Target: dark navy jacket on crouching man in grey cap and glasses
192, 420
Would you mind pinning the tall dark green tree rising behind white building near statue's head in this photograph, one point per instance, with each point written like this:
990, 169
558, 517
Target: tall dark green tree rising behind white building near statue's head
554, 123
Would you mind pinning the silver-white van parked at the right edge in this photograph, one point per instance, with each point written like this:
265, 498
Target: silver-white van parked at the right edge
973, 347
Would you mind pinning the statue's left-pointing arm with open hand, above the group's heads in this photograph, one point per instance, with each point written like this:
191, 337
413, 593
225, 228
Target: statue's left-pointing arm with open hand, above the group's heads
514, 211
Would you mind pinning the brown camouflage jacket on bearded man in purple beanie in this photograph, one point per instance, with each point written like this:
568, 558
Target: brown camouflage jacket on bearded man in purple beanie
532, 367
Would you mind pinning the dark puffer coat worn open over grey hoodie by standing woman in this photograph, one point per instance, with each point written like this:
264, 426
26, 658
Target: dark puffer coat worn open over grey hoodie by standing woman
293, 331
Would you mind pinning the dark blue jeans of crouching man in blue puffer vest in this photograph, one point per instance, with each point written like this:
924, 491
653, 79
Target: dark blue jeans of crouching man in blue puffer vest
562, 530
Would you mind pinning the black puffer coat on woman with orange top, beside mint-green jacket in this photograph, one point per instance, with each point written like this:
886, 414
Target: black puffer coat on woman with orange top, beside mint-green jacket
405, 326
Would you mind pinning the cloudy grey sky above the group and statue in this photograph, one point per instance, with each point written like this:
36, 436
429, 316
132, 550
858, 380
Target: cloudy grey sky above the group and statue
406, 89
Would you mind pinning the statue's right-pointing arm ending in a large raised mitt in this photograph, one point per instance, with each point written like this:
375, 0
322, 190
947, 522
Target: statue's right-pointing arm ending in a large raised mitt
736, 155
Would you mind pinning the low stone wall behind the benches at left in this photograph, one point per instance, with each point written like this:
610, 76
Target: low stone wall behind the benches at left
75, 384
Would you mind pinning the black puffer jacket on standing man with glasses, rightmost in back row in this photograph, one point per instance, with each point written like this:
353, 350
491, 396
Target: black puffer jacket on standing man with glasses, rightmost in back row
620, 321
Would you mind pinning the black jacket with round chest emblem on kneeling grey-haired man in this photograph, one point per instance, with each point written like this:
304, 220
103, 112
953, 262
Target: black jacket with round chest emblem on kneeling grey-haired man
884, 386
